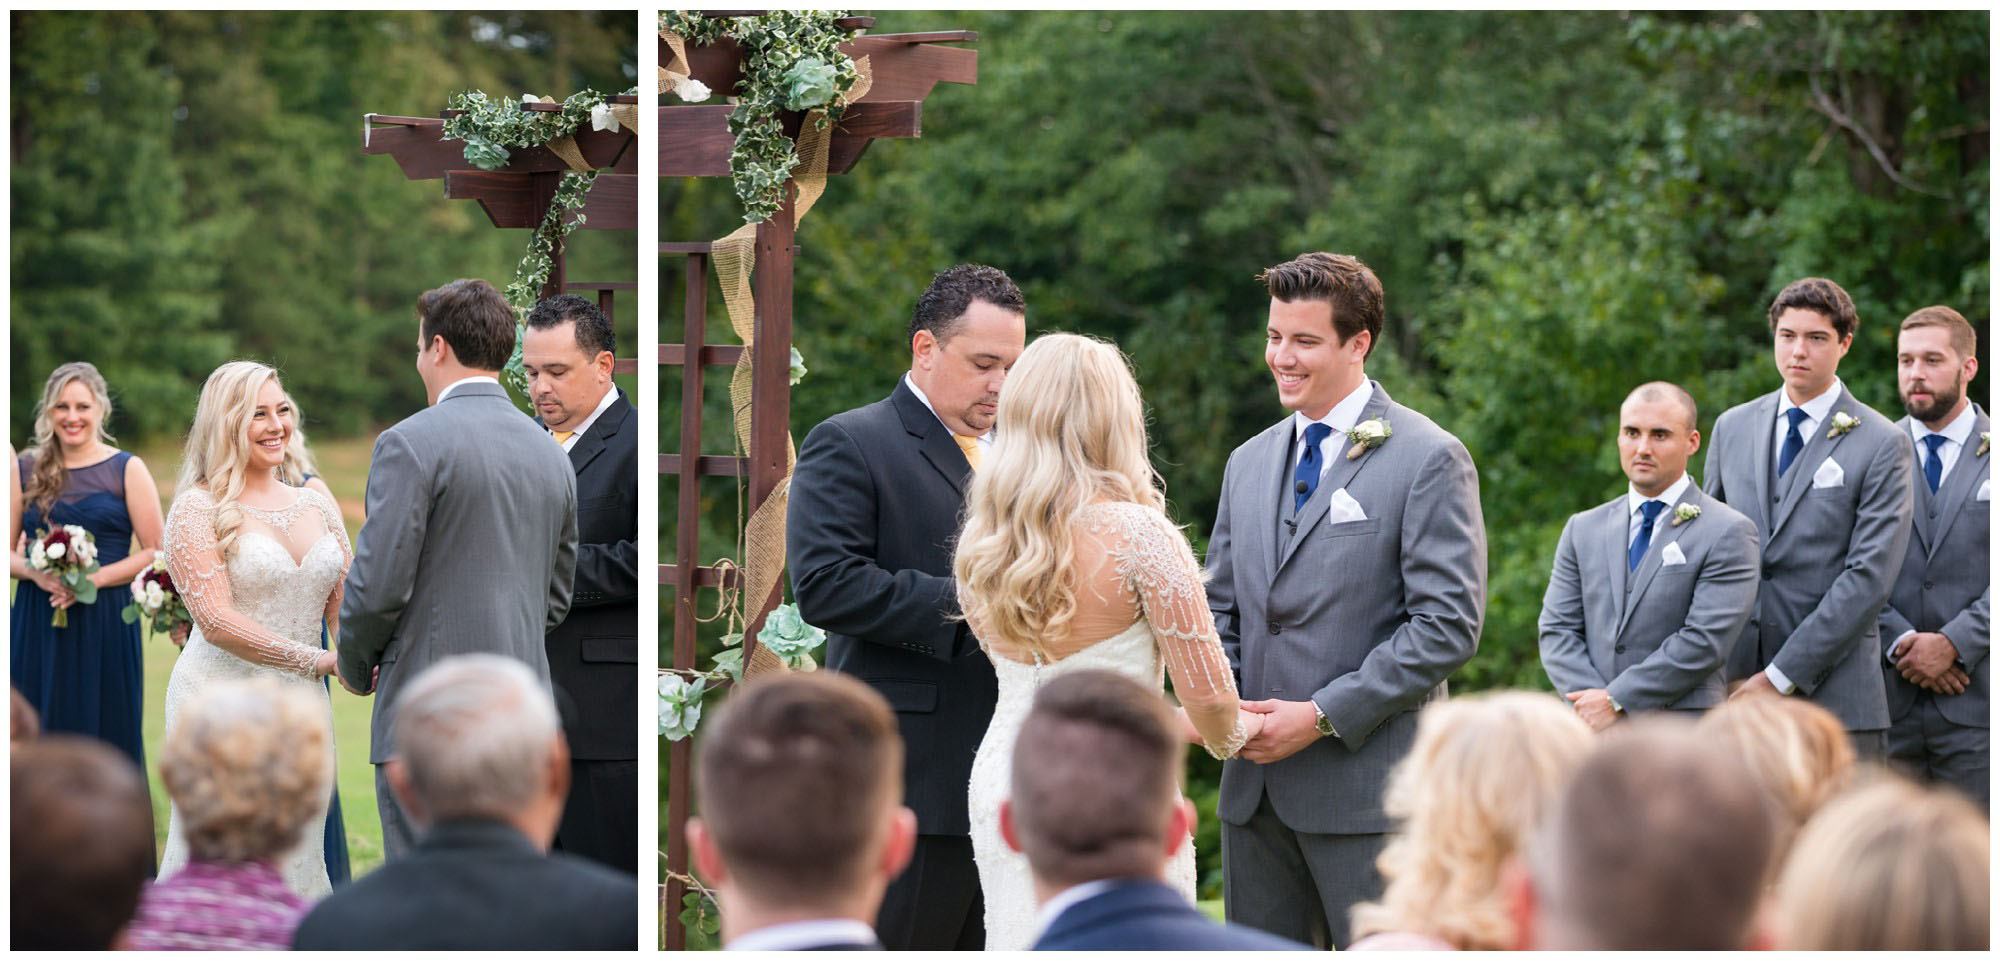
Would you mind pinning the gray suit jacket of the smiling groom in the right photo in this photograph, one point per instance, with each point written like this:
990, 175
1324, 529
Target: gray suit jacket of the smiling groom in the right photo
1367, 618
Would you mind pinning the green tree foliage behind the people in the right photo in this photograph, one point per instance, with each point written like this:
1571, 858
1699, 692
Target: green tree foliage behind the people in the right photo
1559, 207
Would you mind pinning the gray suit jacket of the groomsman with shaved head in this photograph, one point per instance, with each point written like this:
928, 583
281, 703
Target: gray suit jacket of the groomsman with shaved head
1663, 640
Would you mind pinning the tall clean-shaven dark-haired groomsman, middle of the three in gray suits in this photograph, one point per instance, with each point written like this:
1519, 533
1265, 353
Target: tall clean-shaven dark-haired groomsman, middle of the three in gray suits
1827, 482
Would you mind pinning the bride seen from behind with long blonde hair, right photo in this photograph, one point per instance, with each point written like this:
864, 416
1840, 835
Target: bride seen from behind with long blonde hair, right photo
1067, 562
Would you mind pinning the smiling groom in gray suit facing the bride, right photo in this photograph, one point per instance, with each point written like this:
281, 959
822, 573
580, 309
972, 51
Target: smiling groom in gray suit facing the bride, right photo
1349, 582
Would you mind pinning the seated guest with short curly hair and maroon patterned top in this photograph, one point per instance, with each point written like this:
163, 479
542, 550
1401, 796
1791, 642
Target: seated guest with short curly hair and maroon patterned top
249, 766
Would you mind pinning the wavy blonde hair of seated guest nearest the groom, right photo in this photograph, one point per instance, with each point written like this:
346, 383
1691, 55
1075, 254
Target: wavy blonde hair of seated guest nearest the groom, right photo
1473, 788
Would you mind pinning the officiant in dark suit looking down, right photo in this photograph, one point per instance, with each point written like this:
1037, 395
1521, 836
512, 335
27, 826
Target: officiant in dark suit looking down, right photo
875, 508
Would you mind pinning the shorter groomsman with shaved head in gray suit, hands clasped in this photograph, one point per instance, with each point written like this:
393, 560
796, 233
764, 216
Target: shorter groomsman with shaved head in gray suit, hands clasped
1649, 592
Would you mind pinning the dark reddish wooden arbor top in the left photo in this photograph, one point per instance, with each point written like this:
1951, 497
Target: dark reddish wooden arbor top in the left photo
519, 195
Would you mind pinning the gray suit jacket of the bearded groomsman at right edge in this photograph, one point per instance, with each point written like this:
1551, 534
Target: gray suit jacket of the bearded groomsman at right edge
1947, 578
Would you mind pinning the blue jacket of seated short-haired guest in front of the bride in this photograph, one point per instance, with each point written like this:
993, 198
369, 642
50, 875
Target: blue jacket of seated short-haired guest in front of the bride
1147, 916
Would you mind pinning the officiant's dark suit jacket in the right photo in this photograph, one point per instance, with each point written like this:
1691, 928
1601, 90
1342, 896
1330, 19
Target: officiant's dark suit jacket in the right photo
875, 510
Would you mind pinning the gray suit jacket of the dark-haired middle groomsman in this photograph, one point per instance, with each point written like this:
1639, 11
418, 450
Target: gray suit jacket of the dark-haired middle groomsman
1829, 554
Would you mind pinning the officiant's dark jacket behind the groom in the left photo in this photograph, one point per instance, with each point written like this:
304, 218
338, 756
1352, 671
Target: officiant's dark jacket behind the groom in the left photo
593, 656
